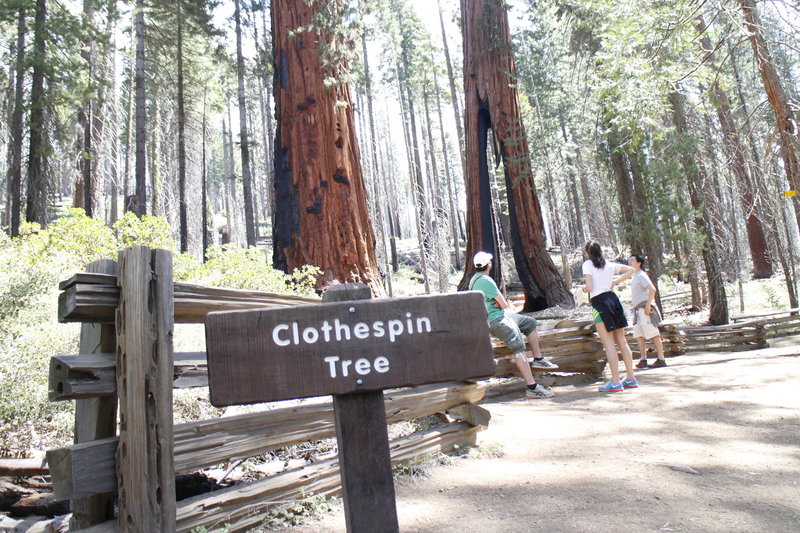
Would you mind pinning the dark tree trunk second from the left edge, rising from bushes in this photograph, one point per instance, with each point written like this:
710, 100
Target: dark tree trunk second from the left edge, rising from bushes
36, 209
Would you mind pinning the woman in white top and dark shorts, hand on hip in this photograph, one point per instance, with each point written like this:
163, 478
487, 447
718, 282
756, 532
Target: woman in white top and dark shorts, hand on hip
608, 314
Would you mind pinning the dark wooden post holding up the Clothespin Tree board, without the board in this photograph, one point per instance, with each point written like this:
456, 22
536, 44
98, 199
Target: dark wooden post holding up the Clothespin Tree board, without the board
364, 459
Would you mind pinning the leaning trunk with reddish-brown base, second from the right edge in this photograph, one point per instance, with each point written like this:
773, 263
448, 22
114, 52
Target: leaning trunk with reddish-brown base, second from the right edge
762, 266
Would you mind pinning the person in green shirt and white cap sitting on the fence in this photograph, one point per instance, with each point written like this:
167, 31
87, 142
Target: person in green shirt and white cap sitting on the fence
509, 327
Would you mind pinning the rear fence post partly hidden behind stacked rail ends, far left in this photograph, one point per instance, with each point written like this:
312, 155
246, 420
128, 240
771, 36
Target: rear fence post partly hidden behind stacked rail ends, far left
95, 418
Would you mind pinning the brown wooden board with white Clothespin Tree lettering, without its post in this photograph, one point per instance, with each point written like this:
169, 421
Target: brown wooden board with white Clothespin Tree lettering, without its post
338, 348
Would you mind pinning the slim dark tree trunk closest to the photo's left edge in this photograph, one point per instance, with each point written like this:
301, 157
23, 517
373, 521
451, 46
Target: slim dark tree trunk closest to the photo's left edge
16, 131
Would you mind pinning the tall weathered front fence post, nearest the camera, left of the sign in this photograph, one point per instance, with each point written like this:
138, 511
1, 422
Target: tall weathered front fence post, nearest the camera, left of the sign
145, 321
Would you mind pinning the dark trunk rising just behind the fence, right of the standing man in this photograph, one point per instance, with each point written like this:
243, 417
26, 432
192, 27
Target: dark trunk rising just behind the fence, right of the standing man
695, 178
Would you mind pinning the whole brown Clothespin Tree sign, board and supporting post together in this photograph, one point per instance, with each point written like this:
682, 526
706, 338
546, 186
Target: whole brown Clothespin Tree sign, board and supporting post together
352, 348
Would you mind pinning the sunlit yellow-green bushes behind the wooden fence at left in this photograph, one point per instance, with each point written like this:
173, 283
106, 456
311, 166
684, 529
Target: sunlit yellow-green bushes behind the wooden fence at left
31, 267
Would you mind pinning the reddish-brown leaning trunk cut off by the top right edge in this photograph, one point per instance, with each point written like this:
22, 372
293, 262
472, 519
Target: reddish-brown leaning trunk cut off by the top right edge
786, 122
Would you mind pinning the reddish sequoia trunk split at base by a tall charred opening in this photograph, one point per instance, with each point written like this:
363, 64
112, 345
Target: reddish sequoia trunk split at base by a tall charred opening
491, 101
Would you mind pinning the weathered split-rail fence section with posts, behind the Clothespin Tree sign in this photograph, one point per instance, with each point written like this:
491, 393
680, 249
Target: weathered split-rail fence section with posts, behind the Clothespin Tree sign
127, 368
